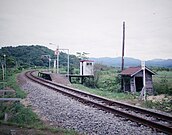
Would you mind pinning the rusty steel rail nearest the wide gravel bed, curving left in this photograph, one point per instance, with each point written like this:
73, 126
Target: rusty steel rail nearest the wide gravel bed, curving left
158, 126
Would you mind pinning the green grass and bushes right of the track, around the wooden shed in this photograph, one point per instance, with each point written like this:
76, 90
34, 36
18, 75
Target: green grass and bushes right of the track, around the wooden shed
161, 87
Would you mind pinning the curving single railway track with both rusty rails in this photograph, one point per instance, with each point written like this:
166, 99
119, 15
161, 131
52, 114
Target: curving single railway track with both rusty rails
143, 116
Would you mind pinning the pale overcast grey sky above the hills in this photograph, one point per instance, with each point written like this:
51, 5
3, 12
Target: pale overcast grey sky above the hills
91, 26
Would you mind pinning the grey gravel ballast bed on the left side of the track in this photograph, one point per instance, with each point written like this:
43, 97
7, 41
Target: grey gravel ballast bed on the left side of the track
66, 112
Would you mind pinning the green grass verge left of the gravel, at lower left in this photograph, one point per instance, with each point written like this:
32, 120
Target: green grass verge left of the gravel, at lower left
21, 116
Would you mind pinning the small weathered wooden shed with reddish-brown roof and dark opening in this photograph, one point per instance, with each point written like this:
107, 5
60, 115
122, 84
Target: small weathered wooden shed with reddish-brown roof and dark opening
133, 79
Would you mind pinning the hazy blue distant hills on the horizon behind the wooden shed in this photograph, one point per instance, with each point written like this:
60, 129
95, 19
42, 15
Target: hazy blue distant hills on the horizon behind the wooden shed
116, 62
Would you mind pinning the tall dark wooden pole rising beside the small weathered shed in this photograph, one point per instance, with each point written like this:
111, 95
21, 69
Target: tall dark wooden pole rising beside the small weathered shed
123, 45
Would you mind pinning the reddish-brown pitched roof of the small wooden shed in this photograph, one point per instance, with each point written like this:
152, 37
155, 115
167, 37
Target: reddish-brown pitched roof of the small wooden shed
131, 71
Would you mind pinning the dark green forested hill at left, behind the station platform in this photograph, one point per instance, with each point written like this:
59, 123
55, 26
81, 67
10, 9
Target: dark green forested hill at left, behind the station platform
29, 56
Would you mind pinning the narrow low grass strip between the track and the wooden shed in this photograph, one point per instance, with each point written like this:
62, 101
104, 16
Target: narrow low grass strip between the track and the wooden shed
165, 105
